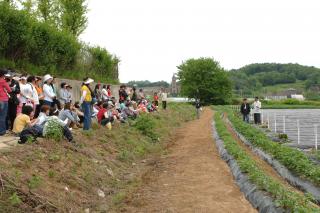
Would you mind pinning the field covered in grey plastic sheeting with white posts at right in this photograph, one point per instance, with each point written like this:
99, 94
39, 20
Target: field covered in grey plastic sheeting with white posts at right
301, 125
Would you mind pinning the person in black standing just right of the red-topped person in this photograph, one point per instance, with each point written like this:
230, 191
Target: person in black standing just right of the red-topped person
13, 100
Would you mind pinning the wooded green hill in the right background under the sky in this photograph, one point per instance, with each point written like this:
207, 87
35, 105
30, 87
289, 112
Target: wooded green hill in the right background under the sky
259, 77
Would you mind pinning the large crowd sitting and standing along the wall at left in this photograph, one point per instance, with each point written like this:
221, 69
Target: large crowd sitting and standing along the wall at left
31, 105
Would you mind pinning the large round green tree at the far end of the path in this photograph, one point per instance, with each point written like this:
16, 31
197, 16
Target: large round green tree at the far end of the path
206, 80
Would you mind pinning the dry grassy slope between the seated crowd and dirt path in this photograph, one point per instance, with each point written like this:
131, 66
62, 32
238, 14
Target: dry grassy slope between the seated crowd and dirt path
51, 176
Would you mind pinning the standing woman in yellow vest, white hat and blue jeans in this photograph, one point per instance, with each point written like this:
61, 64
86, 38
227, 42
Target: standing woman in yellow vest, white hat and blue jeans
86, 101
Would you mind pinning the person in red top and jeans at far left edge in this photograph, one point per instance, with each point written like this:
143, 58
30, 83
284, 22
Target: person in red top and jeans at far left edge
4, 98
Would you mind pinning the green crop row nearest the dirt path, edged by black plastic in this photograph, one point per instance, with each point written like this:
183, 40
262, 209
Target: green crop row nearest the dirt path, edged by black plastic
284, 197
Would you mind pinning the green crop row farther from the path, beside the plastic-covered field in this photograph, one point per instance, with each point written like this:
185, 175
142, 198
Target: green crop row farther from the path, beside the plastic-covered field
294, 160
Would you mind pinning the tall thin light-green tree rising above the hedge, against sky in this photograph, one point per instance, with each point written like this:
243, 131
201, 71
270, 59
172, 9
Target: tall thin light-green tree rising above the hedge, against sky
73, 16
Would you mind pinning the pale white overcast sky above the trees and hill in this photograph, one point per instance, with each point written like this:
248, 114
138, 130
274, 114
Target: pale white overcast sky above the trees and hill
153, 37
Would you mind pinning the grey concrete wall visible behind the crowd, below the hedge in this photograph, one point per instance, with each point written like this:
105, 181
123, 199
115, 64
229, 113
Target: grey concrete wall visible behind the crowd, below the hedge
76, 87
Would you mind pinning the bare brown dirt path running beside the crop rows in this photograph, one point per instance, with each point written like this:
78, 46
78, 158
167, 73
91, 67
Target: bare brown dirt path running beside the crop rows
191, 178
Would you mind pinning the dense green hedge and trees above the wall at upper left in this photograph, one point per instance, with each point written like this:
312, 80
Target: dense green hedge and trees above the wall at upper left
39, 46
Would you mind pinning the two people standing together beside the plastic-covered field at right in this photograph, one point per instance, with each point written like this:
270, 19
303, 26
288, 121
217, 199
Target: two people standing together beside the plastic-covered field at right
246, 108
